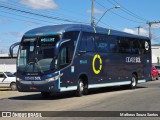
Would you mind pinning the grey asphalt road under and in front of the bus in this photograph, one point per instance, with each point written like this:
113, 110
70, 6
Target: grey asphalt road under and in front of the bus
145, 98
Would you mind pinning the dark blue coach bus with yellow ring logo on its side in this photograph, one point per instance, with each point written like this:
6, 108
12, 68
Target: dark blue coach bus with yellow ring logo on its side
75, 57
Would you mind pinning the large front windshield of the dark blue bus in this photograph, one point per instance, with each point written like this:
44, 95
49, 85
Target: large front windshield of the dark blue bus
37, 54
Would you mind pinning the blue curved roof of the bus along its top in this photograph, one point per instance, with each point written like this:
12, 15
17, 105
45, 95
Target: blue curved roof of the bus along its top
59, 29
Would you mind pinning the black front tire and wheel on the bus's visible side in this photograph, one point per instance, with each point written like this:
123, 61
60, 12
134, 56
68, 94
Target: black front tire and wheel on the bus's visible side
81, 89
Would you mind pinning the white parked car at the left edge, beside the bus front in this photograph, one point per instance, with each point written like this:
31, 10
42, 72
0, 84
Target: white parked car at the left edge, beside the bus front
8, 80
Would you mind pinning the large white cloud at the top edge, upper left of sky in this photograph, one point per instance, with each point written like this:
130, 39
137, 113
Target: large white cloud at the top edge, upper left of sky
40, 4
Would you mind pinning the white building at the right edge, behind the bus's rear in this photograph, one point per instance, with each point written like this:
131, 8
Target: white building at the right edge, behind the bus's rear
156, 54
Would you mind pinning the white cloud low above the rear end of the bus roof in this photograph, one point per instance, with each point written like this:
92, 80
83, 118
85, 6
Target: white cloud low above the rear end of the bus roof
143, 31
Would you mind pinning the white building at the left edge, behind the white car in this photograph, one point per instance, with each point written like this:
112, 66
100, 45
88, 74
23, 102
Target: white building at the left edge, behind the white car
7, 64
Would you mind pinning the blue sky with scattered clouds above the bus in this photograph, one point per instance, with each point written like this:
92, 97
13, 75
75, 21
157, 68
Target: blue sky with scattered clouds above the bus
19, 16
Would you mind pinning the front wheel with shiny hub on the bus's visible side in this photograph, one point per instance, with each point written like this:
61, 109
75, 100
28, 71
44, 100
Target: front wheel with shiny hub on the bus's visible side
80, 88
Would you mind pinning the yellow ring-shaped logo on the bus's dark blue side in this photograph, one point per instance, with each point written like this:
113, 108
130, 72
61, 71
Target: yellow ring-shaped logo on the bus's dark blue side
97, 71
